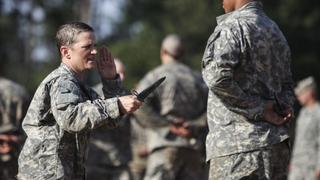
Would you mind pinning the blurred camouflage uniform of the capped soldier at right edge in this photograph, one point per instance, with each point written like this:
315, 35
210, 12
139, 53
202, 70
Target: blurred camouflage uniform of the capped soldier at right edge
305, 158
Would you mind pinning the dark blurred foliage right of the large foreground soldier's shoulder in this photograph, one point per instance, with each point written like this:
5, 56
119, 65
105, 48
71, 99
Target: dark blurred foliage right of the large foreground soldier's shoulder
300, 22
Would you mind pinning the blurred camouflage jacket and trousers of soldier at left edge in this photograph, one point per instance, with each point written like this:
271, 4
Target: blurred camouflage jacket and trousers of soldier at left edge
13, 99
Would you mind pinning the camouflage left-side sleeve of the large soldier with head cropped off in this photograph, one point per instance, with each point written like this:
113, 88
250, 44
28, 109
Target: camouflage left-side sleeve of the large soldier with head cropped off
220, 60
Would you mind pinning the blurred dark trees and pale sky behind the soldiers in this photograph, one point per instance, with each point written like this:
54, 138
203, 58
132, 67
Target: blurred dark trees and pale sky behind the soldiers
133, 30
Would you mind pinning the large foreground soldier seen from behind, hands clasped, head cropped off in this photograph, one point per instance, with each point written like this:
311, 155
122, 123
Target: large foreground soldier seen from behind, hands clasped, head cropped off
246, 66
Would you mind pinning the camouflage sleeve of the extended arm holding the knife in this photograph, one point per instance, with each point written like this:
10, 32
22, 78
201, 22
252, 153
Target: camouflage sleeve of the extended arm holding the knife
74, 113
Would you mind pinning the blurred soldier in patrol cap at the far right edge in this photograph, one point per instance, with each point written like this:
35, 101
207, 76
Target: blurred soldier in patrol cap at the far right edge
305, 162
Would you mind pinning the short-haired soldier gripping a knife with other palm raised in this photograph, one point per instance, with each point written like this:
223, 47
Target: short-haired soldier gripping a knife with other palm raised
64, 110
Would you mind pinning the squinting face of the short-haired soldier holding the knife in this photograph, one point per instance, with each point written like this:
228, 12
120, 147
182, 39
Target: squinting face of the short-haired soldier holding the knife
82, 53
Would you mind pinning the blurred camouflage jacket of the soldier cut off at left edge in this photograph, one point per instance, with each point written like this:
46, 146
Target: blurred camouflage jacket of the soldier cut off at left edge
13, 102
